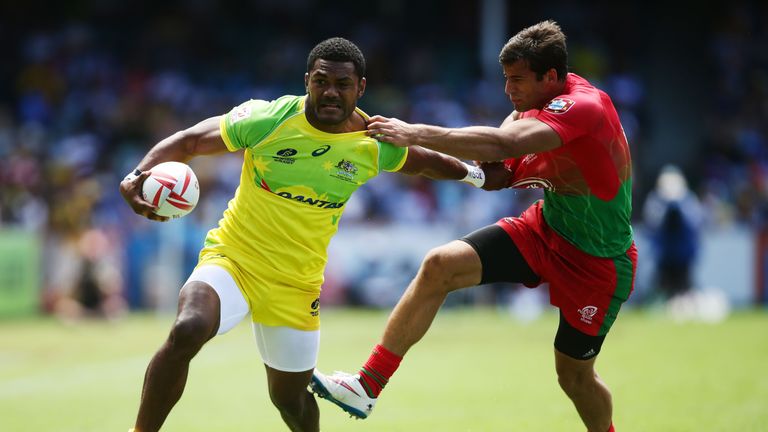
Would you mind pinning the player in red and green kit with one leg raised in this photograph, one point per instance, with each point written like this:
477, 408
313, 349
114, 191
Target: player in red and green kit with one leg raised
564, 136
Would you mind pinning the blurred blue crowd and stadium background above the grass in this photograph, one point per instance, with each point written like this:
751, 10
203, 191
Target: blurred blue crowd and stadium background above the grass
87, 87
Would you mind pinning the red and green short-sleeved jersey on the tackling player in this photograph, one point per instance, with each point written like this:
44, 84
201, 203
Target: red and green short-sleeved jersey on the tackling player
588, 180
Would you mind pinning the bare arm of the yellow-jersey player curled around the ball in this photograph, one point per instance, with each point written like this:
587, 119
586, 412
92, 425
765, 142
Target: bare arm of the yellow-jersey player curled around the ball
203, 138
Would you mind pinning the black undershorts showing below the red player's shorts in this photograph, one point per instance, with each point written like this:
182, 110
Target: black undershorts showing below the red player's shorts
502, 262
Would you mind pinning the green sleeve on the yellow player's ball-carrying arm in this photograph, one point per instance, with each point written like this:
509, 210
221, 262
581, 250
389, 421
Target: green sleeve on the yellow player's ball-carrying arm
248, 123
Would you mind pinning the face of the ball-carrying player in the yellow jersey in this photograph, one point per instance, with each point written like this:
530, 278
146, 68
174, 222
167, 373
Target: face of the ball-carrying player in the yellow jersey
333, 89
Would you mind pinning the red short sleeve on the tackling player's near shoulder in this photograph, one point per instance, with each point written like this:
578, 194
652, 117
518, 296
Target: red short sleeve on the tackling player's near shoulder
571, 117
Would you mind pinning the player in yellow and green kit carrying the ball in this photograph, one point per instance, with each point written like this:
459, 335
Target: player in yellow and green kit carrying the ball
304, 156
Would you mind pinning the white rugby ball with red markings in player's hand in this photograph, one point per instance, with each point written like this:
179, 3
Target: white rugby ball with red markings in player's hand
172, 187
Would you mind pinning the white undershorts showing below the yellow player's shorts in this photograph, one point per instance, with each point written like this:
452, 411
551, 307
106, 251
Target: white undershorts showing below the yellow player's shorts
282, 348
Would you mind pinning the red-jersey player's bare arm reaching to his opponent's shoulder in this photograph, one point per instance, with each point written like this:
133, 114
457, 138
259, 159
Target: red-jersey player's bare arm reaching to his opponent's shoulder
513, 139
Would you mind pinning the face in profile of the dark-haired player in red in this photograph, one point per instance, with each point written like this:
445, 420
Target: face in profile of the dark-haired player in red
524, 90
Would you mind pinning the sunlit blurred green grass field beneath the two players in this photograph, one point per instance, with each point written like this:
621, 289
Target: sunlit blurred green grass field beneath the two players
476, 370
